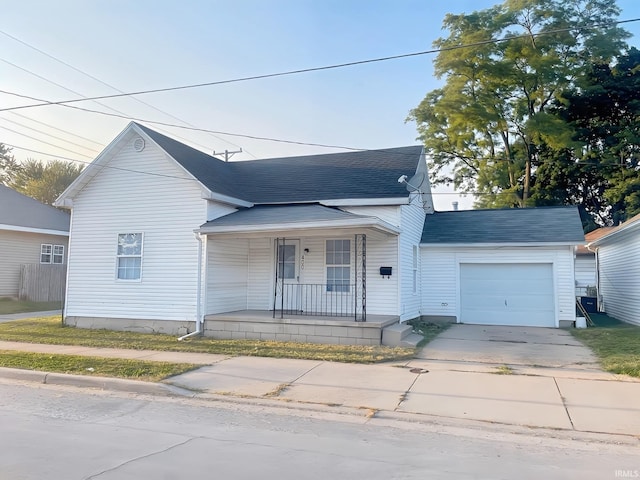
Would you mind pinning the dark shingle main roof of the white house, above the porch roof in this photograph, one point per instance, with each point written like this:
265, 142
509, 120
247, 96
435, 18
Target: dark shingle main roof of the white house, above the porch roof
360, 174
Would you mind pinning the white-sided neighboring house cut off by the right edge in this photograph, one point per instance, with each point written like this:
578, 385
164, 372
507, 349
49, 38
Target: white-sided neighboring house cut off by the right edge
618, 269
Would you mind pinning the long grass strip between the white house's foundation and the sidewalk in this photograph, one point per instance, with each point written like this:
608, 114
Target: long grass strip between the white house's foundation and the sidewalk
51, 331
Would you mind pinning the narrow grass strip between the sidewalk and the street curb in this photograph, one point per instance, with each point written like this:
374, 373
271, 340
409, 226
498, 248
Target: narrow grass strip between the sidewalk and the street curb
93, 366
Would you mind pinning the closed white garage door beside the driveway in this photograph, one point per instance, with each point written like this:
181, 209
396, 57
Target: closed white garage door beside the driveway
507, 294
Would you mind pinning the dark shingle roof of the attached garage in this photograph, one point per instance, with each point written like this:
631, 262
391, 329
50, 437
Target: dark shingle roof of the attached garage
545, 225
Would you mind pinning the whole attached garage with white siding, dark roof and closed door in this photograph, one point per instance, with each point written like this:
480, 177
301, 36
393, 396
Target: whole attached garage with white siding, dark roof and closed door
501, 267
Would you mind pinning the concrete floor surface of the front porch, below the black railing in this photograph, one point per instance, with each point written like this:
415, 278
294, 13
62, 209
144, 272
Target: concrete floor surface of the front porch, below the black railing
266, 316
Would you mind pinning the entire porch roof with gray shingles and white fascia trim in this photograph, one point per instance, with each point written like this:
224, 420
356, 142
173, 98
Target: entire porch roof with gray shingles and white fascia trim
272, 218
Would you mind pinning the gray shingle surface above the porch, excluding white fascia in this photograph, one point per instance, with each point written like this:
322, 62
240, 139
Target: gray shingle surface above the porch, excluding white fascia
279, 214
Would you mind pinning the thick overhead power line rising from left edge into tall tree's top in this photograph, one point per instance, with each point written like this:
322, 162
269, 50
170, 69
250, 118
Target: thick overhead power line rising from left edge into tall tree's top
325, 67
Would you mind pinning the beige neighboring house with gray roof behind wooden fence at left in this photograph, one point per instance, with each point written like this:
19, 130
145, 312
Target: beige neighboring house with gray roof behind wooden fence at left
30, 233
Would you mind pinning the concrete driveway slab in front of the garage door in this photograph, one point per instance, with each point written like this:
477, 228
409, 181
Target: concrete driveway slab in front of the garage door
523, 349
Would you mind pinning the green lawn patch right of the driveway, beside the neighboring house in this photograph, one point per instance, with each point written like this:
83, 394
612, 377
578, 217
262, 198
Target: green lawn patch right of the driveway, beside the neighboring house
617, 344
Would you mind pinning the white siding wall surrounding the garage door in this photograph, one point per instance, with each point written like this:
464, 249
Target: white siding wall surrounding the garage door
440, 271
